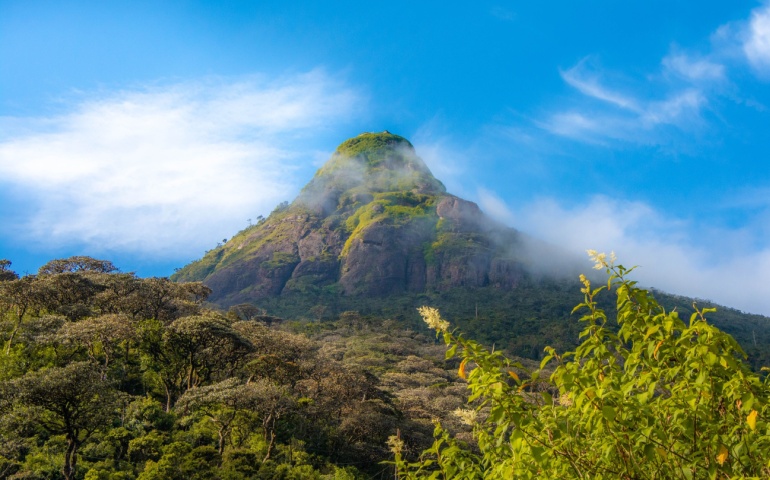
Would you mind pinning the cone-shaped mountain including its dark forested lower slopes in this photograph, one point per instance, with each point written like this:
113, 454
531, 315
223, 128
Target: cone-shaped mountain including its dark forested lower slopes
376, 233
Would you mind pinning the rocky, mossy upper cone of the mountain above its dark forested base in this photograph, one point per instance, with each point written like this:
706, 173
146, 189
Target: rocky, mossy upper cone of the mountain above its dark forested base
373, 221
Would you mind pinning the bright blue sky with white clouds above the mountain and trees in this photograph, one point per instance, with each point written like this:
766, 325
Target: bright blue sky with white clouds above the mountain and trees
146, 132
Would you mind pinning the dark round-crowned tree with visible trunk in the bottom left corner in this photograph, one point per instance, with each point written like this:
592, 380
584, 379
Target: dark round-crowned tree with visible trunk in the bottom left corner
73, 401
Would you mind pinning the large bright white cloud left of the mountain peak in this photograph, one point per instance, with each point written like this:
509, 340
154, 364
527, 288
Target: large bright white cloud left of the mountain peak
169, 170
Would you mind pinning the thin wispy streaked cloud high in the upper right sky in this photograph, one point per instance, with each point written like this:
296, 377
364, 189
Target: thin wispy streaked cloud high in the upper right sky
677, 98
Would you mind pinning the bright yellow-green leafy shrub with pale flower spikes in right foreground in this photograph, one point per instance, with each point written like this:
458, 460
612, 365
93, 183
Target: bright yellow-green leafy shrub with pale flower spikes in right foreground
653, 398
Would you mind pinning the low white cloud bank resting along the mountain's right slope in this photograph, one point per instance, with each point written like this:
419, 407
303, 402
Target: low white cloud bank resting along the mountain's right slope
674, 255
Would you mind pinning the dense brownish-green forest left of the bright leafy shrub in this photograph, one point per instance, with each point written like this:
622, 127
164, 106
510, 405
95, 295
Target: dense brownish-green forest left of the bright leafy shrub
105, 375
